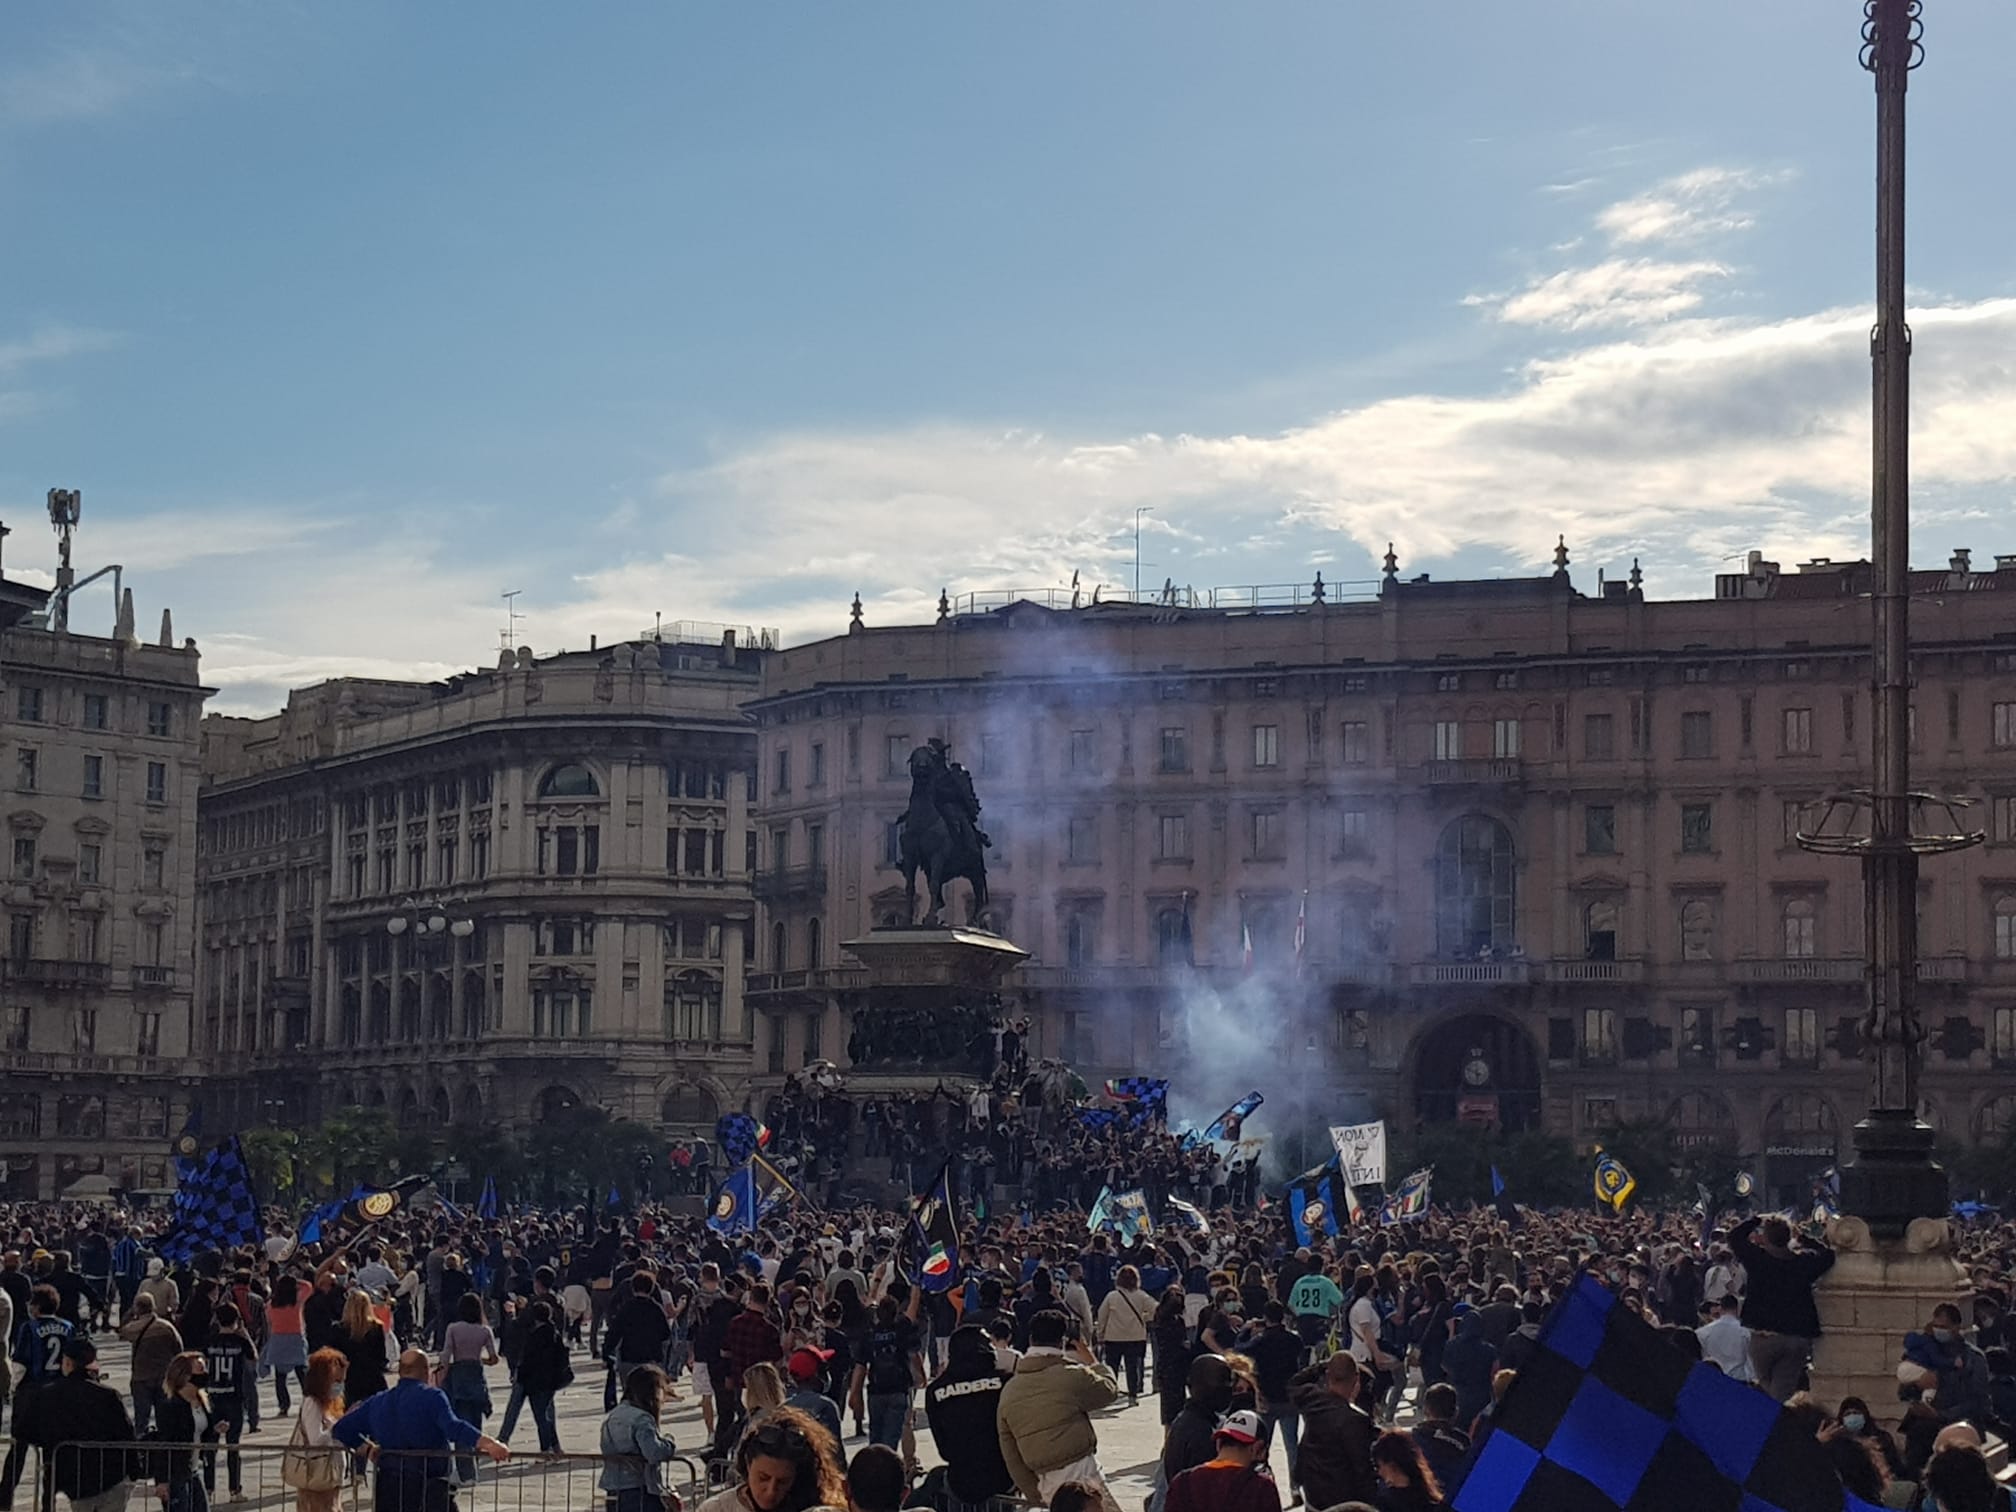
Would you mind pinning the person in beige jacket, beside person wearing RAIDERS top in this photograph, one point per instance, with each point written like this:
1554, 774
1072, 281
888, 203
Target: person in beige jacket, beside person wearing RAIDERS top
1045, 1416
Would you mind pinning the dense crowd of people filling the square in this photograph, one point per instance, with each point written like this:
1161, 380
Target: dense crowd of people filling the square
1374, 1362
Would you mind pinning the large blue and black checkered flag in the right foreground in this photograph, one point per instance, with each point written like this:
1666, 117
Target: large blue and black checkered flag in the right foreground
1610, 1418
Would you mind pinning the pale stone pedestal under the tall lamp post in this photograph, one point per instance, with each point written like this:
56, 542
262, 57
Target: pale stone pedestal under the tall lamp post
1872, 1299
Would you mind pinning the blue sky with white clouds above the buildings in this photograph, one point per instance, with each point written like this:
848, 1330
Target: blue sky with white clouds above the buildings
350, 320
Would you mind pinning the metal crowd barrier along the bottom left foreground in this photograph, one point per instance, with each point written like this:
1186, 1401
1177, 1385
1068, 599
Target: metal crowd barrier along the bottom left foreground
527, 1483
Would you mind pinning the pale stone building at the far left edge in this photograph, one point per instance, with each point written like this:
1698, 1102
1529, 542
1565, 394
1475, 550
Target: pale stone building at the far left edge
100, 898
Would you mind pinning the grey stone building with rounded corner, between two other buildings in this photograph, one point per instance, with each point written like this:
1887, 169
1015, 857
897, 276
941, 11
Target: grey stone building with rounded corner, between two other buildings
491, 900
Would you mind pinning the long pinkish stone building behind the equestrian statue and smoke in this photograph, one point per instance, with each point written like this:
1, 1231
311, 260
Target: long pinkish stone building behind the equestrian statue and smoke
1539, 844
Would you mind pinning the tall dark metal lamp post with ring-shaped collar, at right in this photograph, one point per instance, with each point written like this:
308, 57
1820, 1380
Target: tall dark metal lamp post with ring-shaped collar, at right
1892, 1176
